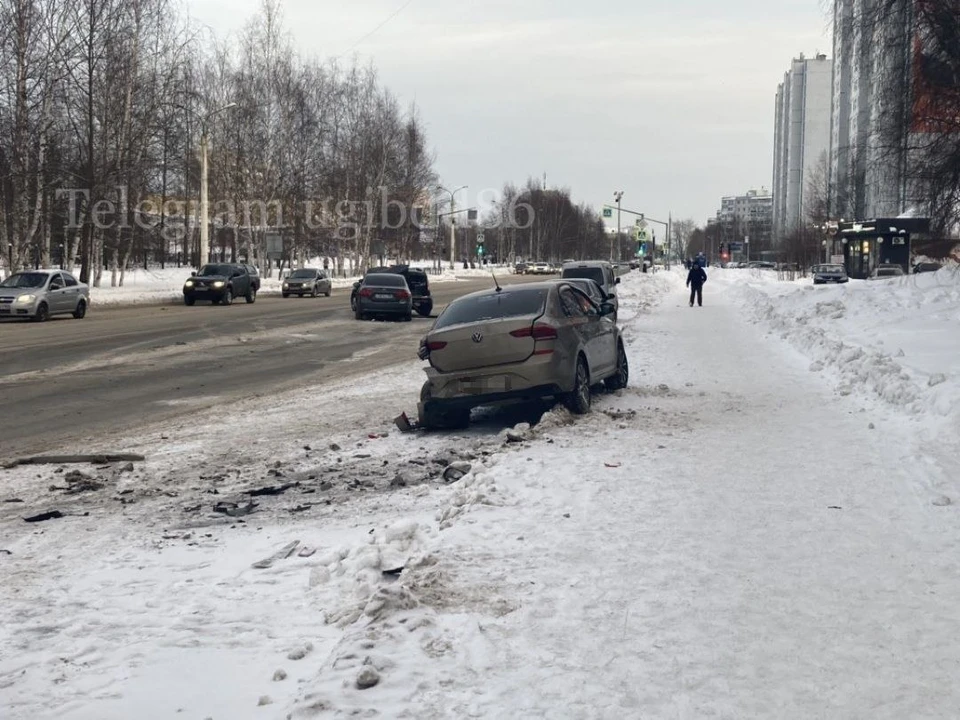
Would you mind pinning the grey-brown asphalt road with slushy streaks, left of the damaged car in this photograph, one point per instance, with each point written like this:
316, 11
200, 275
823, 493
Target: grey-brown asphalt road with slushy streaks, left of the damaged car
66, 381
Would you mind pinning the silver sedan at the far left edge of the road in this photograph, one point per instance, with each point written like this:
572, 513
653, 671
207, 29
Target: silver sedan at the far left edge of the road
38, 294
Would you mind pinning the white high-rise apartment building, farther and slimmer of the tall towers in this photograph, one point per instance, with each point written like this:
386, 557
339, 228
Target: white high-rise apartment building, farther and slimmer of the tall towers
801, 137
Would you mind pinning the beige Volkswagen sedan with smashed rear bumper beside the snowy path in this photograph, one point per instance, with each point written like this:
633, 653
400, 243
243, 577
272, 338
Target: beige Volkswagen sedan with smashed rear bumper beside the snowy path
528, 342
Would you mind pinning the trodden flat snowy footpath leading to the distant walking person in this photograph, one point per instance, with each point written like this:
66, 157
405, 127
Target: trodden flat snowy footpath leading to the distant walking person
759, 552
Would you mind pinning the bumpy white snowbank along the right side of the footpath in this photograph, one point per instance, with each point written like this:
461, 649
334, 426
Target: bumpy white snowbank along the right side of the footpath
895, 339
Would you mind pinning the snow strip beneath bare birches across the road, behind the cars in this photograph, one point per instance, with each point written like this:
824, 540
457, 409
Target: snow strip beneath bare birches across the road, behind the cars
158, 285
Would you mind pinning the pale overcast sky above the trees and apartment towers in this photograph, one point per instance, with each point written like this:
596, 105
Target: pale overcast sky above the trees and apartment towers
671, 102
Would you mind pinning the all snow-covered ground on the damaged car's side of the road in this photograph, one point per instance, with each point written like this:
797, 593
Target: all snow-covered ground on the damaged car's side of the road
757, 527
